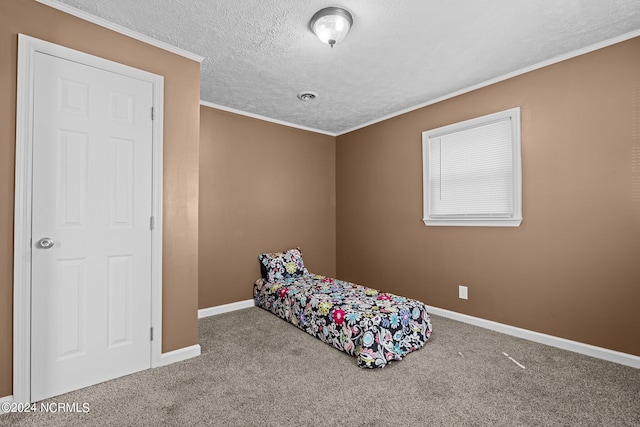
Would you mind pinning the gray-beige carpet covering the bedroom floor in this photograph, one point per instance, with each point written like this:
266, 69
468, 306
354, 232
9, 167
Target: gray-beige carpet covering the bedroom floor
257, 370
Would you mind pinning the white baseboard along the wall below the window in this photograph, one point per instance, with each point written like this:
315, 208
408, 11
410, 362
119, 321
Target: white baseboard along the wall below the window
575, 346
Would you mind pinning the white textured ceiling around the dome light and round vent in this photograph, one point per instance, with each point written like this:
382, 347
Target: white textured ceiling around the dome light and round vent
258, 54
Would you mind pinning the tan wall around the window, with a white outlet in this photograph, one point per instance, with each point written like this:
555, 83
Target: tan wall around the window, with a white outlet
572, 269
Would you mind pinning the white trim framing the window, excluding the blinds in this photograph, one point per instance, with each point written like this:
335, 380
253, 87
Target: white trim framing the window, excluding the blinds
515, 219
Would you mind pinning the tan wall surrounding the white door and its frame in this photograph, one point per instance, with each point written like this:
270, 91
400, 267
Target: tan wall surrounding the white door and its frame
181, 144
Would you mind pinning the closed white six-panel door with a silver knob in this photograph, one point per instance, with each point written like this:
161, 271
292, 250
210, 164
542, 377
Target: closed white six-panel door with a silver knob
91, 237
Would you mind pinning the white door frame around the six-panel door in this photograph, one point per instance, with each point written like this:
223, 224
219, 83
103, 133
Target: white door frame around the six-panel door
27, 48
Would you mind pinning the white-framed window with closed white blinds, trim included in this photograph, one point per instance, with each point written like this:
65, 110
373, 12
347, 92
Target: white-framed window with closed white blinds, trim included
472, 172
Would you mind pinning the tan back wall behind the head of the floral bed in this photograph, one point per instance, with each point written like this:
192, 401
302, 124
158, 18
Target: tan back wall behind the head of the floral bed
263, 187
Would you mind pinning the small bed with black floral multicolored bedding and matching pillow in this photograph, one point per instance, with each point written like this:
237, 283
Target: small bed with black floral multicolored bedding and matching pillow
373, 326
